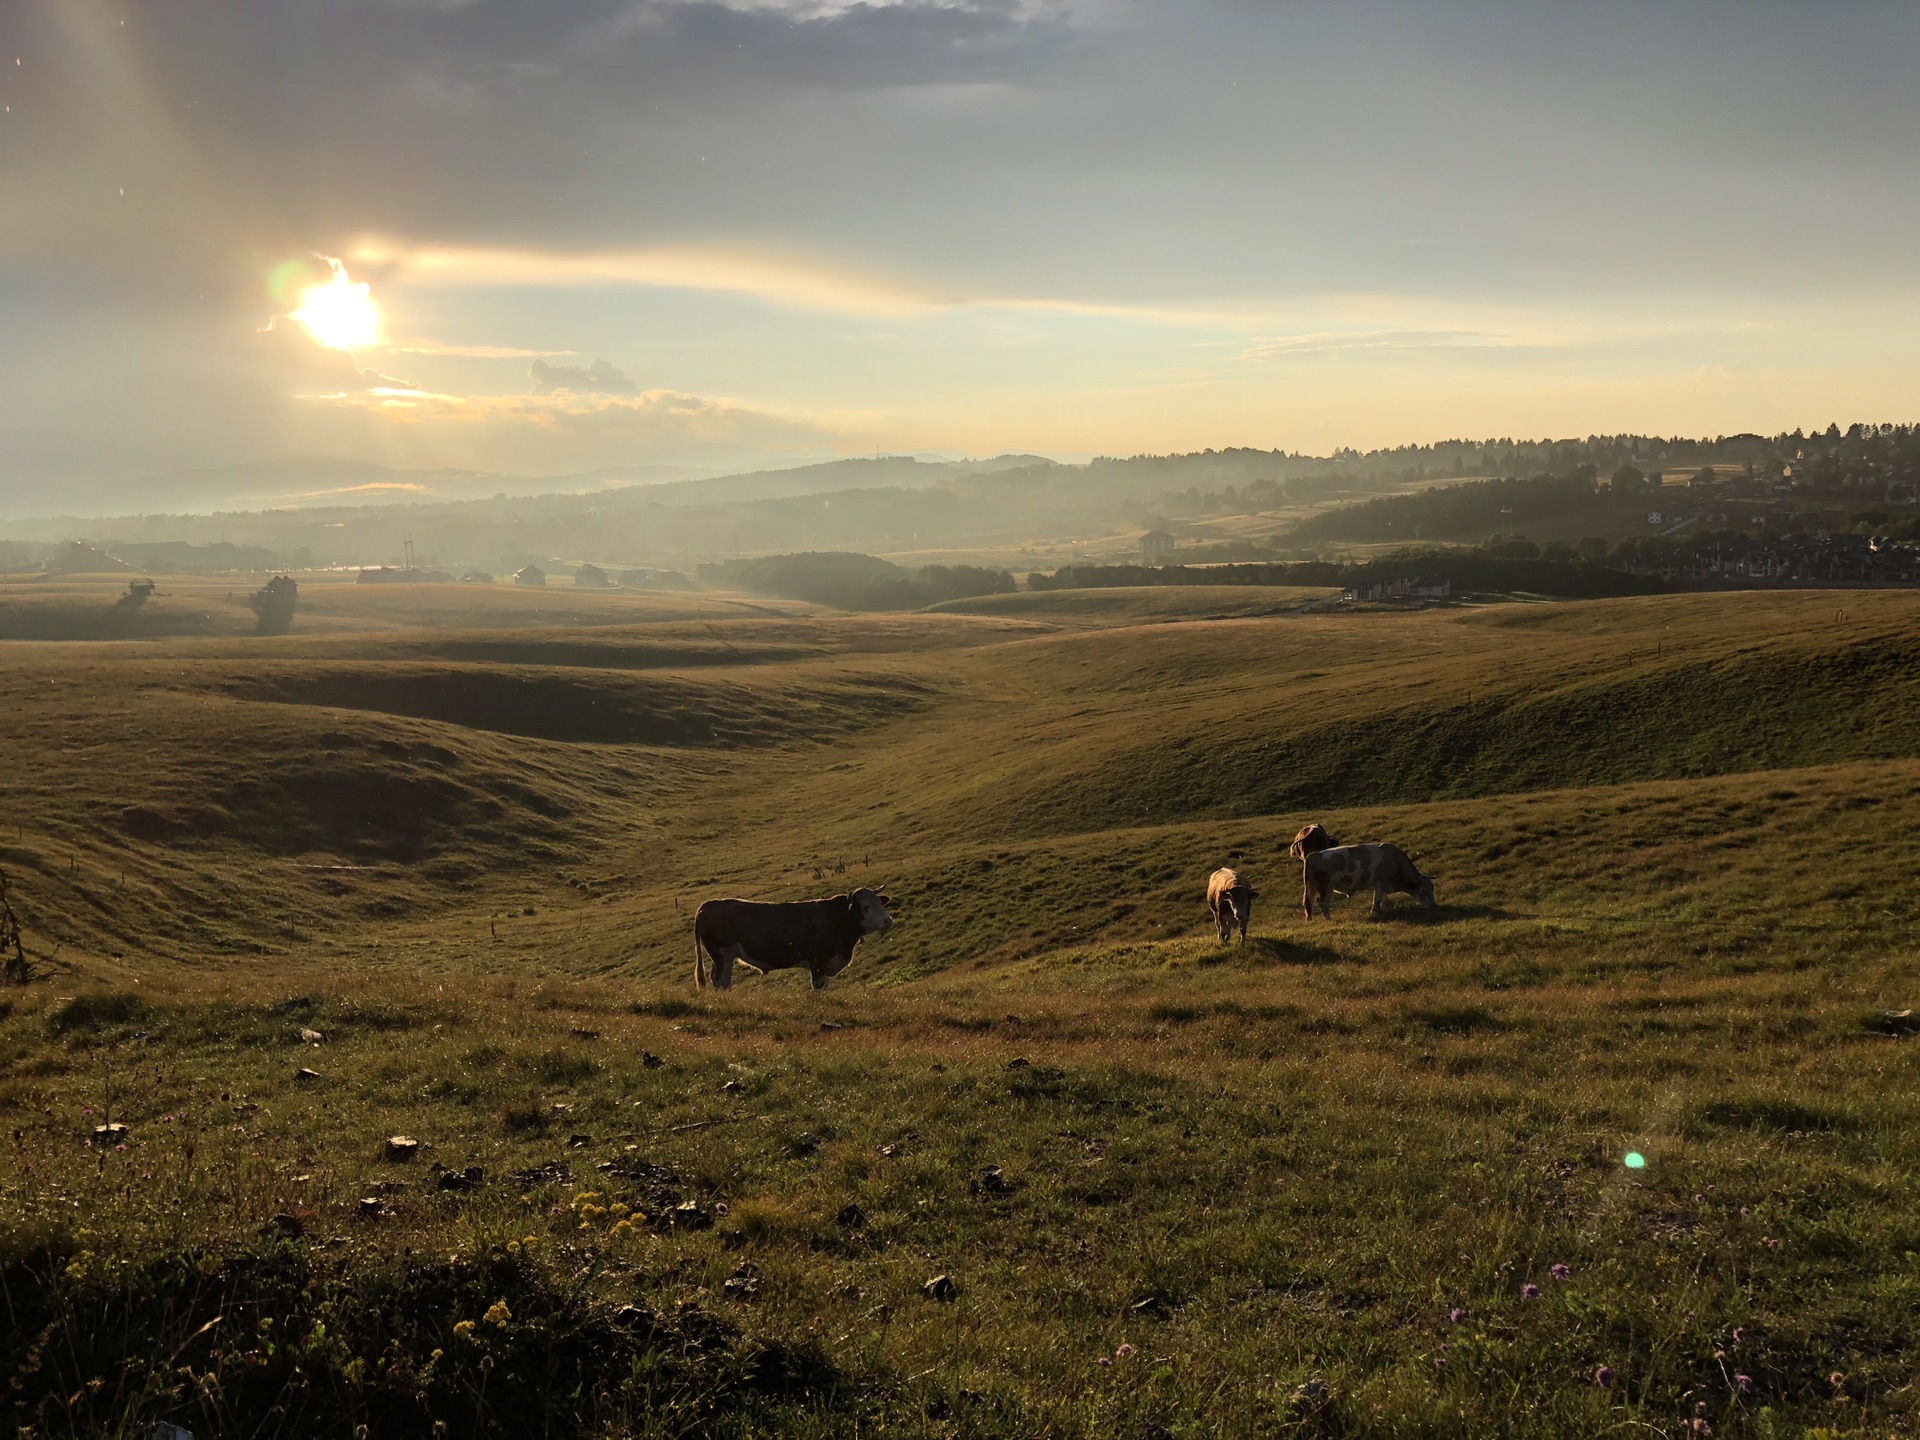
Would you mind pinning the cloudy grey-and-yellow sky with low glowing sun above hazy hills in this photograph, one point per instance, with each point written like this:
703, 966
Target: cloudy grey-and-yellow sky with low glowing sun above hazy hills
550, 237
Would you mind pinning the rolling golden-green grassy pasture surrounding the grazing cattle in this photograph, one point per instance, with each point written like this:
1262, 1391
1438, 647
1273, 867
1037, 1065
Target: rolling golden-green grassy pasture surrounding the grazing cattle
1045, 1161
